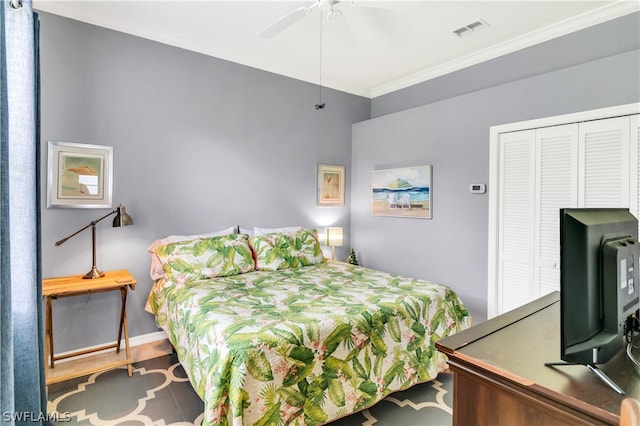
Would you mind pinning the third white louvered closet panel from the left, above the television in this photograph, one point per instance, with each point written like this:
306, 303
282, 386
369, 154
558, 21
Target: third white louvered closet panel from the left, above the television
604, 160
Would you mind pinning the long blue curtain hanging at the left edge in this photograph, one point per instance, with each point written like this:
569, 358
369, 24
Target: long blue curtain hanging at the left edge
22, 375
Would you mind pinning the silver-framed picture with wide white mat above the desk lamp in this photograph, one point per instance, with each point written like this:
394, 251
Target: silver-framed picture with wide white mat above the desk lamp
79, 175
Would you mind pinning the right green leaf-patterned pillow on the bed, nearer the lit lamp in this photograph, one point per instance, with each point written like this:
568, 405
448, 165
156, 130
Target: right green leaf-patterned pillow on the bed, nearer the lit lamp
282, 251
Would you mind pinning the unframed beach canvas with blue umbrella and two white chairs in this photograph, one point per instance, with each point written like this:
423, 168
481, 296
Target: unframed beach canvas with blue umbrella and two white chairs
402, 192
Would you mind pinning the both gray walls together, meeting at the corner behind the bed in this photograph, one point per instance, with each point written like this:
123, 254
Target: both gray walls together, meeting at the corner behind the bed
201, 144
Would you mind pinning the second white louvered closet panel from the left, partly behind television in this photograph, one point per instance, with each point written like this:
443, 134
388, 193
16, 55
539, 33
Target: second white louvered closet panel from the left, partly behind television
557, 188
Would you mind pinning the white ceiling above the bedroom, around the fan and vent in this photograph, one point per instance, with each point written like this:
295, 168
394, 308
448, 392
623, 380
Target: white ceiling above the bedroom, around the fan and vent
372, 48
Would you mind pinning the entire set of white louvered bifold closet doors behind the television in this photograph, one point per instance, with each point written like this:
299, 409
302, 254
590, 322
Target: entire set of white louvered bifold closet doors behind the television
588, 164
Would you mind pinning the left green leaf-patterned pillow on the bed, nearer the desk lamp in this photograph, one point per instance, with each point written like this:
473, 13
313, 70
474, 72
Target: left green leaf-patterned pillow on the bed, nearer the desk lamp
205, 258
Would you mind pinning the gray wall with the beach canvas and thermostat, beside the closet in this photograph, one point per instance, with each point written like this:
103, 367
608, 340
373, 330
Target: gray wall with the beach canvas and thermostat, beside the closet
451, 132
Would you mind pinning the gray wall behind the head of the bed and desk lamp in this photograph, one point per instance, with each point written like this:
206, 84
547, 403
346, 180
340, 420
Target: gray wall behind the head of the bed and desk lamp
200, 144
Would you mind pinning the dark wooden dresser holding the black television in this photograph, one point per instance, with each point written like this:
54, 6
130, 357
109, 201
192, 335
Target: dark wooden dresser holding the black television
500, 377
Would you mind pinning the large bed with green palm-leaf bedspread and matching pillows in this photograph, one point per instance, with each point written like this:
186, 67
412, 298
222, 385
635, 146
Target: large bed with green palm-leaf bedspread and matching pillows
269, 332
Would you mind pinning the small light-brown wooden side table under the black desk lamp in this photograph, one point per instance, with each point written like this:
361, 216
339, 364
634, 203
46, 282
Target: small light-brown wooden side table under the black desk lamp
75, 285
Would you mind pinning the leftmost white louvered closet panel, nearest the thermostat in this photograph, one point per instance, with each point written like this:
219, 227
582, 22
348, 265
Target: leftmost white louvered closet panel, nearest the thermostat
515, 245
